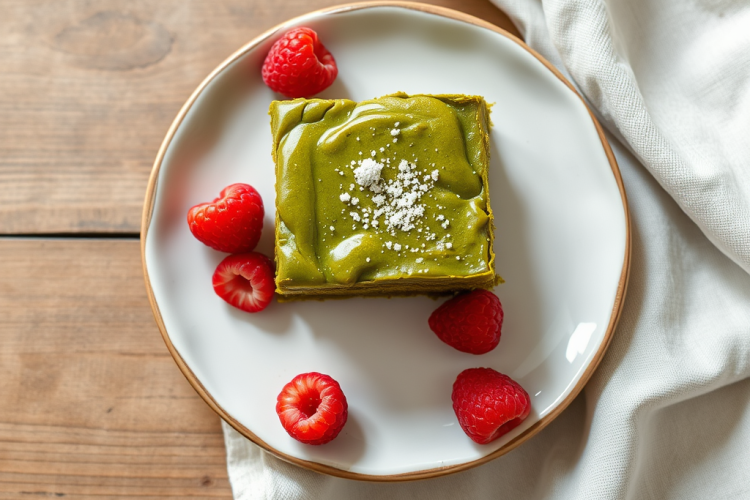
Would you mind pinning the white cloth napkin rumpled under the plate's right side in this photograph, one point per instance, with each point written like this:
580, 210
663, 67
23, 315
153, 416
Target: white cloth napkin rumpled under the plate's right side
666, 415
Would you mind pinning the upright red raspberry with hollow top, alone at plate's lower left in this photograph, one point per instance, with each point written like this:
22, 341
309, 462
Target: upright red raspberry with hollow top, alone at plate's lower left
312, 408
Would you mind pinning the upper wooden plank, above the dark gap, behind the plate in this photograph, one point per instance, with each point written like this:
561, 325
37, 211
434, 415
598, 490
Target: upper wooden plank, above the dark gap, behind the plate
88, 90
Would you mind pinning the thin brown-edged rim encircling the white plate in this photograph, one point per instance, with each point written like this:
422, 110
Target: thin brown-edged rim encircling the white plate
148, 208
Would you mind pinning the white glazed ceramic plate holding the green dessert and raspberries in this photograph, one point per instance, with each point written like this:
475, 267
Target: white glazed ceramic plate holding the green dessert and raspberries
562, 247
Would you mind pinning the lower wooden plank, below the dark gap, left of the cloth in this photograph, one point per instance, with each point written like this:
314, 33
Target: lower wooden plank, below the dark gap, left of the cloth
91, 401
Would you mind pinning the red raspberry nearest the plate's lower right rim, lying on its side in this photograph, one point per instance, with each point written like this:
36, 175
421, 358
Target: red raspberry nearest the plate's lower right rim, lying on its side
488, 404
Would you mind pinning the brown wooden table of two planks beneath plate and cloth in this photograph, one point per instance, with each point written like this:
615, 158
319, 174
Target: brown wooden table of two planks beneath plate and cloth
91, 403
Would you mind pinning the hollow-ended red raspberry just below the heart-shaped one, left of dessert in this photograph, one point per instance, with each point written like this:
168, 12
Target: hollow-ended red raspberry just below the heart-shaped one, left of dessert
245, 281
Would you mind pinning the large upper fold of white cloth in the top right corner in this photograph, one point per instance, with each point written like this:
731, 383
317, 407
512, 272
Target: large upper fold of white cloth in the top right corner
716, 195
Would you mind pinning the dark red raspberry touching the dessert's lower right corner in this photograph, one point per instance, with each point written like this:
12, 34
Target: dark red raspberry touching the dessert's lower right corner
470, 322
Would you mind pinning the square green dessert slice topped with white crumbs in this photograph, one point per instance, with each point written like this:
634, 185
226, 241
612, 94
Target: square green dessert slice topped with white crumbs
382, 197
